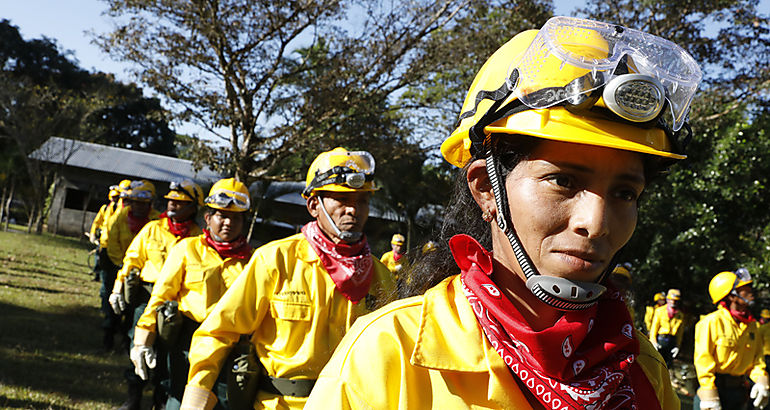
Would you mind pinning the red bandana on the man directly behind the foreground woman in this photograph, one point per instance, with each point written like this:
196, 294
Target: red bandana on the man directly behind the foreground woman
350, 266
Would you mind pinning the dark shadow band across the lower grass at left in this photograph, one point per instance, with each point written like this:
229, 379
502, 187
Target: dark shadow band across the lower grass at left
59, 352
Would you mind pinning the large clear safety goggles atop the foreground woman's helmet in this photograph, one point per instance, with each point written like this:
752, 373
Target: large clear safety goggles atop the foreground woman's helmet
639, 72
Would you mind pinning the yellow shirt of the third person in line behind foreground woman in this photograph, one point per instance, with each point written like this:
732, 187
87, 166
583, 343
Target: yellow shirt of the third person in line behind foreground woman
149, 248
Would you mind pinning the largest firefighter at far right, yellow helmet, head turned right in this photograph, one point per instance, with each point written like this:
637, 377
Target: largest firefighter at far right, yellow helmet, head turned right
728, 347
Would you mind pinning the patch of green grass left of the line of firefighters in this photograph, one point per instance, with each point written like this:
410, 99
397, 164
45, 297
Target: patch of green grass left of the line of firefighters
50, 337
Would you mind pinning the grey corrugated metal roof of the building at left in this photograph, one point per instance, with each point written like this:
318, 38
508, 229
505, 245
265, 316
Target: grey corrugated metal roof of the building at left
120, 161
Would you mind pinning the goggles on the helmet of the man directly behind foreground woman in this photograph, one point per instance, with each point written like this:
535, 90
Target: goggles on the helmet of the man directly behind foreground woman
351, 169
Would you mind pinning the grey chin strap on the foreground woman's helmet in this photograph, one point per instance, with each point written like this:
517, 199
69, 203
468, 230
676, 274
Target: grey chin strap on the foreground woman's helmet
560, 293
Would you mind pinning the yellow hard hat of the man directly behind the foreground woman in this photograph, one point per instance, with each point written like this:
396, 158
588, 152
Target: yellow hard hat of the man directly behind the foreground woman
340, 170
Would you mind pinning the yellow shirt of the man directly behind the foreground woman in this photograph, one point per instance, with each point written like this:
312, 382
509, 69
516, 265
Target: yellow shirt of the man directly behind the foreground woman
288, 303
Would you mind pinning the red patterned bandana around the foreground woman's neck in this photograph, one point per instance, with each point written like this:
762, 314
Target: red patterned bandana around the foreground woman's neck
586, 360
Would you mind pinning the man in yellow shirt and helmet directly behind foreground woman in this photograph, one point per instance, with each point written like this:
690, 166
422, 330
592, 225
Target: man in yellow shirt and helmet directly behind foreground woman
298, 295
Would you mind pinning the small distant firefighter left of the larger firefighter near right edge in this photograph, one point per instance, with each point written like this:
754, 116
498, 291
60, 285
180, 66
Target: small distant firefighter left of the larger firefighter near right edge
666, 330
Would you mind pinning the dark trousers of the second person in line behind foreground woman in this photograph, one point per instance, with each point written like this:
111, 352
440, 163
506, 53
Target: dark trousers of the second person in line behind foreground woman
179, 367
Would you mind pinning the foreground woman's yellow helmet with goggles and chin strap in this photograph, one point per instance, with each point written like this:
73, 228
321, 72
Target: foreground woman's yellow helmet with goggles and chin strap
576, 81
